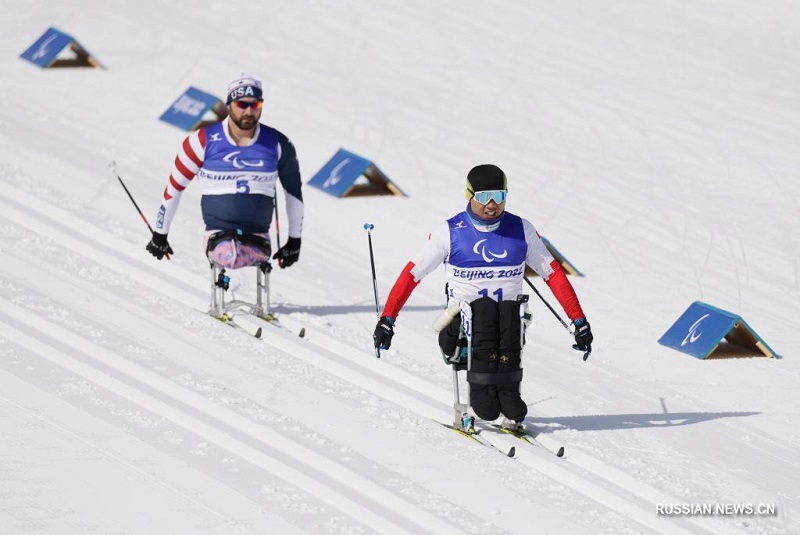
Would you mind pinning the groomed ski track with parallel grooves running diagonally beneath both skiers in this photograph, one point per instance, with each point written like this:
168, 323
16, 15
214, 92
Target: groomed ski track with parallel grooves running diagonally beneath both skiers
334, 467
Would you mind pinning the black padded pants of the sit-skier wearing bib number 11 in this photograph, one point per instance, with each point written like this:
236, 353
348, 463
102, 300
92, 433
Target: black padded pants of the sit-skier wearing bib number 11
496, 372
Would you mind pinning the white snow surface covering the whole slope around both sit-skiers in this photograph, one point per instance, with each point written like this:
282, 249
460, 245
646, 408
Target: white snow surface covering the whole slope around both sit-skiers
654, 143
